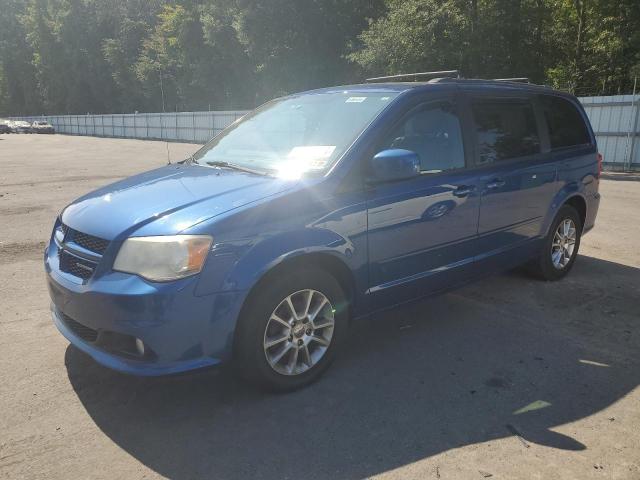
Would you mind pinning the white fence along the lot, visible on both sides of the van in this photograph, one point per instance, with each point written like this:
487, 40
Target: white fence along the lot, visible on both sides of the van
614, 120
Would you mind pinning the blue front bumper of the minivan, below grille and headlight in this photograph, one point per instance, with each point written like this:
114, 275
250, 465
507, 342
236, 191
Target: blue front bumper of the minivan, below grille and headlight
181, 331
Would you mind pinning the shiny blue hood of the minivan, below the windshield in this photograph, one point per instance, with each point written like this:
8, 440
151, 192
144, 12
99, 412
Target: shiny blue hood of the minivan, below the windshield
167, 200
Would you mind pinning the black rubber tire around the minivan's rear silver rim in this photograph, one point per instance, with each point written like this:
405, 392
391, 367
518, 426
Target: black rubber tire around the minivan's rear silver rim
543, 267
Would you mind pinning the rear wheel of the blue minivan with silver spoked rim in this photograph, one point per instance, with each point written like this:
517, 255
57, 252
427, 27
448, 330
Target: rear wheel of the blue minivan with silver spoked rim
552, 267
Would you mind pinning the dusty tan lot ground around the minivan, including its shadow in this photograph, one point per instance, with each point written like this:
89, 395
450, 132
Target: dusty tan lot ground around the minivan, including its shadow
509, 378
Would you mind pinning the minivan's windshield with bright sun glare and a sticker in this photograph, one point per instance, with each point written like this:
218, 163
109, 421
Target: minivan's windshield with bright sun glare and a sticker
295, 135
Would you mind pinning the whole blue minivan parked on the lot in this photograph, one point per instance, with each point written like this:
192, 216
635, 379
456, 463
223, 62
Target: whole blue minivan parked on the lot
315, 209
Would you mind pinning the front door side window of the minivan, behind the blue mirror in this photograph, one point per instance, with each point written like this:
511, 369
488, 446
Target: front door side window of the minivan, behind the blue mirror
434, 133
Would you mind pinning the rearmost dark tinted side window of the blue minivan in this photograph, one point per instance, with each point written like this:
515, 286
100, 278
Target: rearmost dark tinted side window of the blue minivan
565, 124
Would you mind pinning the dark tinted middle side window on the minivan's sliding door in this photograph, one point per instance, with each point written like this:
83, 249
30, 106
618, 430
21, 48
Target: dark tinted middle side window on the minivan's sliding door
505, 129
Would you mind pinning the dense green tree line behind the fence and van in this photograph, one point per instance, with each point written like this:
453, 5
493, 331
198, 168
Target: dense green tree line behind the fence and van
107, 56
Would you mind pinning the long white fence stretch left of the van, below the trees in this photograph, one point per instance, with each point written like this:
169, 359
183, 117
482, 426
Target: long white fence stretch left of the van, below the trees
196, 127
